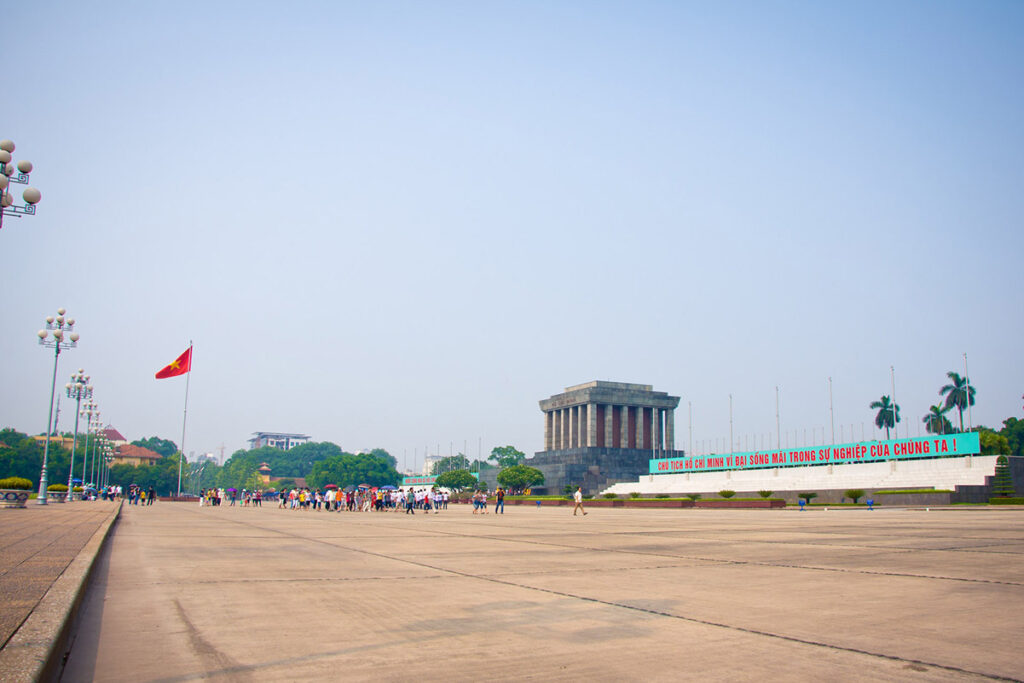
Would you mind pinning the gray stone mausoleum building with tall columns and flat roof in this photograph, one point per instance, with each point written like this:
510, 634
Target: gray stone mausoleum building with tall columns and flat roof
600, 434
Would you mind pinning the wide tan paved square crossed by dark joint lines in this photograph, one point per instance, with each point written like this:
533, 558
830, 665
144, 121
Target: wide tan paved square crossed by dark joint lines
187, 593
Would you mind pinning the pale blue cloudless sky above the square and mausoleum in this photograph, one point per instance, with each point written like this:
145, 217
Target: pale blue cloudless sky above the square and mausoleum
402, 225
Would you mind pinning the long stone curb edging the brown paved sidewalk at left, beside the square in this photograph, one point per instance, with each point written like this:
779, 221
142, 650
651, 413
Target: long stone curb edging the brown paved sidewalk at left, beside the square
37, 651
